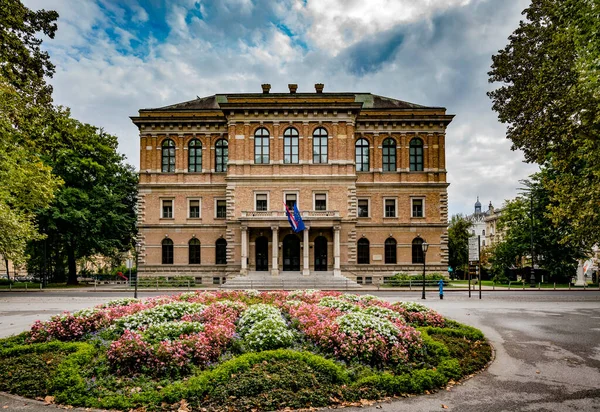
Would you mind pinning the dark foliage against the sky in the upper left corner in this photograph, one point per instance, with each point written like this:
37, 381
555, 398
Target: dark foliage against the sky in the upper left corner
22, 62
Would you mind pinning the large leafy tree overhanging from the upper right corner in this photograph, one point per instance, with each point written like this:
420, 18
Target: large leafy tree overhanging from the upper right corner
551, 104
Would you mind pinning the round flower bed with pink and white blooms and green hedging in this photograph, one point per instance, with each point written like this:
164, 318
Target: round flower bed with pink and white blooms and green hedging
235, 350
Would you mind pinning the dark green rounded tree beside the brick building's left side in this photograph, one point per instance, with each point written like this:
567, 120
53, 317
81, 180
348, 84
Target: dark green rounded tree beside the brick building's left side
94, 211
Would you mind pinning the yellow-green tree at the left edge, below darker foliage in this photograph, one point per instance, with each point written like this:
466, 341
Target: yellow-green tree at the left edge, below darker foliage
26, 184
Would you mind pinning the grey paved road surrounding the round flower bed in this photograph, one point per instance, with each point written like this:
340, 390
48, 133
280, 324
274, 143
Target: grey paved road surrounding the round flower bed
547, 347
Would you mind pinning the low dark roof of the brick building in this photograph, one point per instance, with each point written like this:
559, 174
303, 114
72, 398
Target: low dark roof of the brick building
368, 100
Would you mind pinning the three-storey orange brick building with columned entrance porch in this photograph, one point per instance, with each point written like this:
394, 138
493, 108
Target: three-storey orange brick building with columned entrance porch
368, 174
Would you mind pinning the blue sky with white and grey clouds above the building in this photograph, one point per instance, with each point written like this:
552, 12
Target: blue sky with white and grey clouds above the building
114, 57
